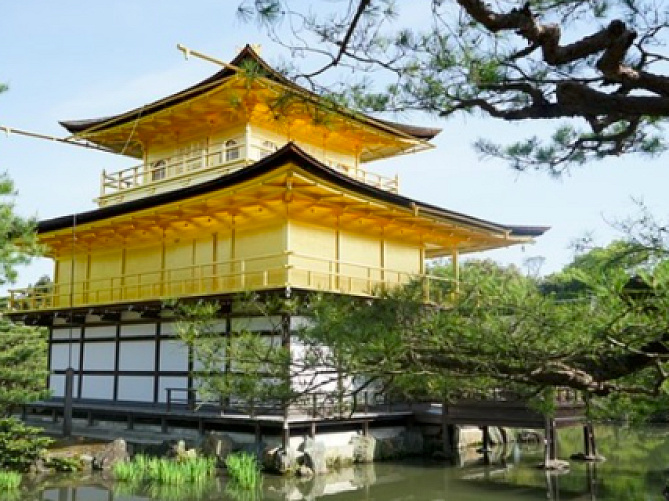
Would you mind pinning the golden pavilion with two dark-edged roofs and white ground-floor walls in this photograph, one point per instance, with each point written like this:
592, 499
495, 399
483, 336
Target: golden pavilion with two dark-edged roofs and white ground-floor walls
244, 182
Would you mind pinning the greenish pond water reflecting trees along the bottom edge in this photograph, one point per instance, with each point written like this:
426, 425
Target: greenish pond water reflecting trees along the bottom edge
636, 469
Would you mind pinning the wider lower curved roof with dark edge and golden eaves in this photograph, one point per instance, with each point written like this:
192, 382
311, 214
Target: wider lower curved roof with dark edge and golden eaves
295, 185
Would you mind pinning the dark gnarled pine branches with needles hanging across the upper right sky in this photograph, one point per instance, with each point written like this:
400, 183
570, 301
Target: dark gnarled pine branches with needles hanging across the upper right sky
495, 58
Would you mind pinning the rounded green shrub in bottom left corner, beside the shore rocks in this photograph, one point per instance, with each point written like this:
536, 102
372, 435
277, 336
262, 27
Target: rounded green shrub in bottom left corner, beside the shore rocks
20, 445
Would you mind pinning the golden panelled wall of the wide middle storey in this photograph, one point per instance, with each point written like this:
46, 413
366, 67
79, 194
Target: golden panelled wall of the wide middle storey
221, 258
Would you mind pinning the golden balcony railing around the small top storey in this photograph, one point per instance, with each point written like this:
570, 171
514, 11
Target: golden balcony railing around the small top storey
219, 159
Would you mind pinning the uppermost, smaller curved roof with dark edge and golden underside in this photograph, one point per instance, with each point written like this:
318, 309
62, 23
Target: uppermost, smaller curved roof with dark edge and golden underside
124, 133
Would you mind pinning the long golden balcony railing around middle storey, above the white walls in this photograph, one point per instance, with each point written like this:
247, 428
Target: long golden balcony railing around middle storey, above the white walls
288, 269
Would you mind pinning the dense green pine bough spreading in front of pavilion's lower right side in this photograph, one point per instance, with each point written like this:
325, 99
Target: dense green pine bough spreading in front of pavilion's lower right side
584, 329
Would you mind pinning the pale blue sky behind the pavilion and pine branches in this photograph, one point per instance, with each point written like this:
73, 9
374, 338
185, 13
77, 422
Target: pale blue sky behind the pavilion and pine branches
71, 60
